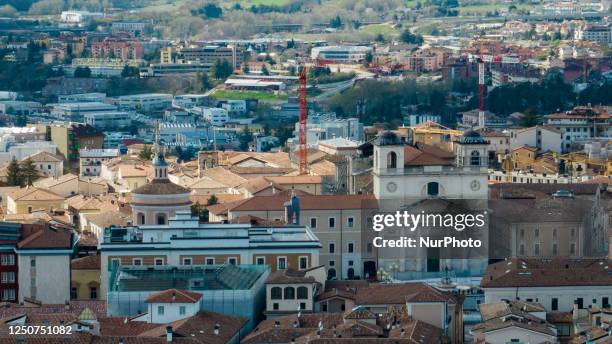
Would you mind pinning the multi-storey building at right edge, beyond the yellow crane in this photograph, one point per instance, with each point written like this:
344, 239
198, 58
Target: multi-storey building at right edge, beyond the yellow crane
581, 123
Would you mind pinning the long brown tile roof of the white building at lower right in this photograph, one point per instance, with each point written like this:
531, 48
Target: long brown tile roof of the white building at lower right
548, 273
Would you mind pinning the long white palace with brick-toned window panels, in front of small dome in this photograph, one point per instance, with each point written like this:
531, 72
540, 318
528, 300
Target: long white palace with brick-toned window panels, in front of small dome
184, 242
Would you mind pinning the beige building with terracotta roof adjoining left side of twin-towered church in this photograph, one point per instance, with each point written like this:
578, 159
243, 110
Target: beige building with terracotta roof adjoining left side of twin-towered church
339, 221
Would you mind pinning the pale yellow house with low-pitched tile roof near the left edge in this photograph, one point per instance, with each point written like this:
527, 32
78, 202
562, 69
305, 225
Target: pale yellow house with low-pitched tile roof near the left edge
30, 199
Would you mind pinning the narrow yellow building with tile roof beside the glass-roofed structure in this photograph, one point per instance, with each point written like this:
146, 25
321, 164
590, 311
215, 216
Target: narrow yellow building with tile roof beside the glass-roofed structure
85, 278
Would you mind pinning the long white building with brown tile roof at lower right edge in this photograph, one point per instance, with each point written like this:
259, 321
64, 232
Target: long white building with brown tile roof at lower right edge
557, 284
